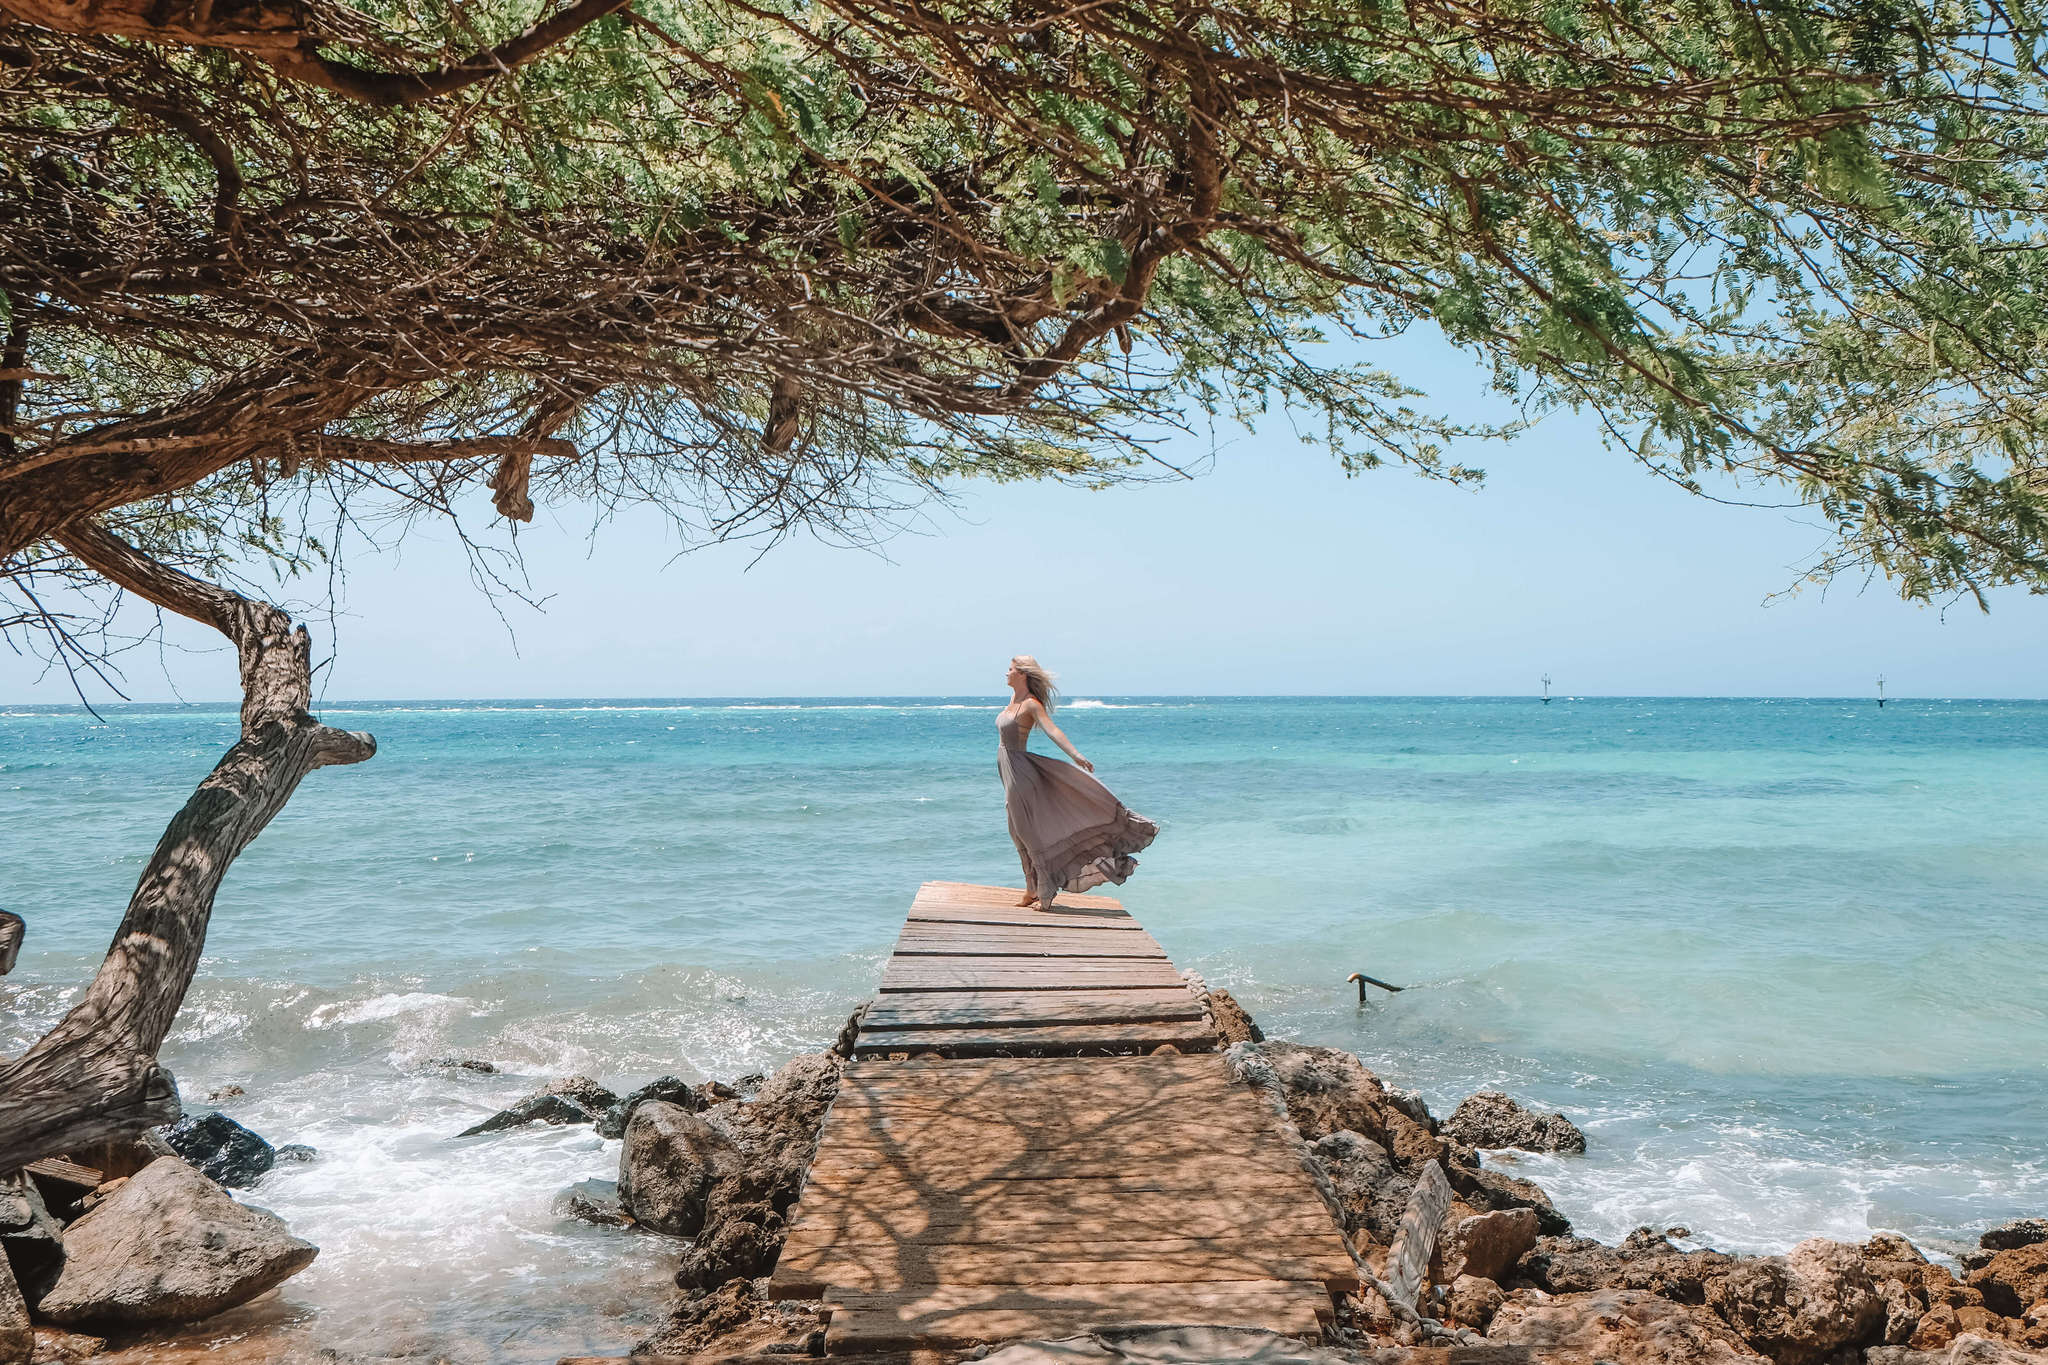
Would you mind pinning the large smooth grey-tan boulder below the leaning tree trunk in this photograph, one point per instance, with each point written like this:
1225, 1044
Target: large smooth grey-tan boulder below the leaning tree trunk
171, 1247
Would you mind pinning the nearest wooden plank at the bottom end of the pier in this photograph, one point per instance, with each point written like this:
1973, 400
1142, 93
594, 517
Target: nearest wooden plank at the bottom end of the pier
970, 1315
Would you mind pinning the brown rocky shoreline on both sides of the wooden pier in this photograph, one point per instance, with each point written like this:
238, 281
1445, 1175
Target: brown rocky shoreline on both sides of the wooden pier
161, 1241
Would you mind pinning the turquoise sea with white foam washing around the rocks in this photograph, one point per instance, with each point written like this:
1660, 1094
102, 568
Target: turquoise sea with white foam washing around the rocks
1783, 961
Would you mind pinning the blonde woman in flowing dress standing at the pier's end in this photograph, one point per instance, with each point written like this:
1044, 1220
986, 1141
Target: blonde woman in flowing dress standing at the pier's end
1070, 830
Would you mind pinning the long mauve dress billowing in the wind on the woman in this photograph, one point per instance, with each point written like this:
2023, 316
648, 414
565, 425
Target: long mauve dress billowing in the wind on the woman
1070, 830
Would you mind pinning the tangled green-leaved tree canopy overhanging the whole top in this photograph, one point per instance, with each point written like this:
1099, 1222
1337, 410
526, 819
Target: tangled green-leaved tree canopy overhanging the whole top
794, 263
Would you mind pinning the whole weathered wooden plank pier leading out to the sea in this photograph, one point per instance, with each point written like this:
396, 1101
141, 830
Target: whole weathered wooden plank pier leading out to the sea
1037, 1137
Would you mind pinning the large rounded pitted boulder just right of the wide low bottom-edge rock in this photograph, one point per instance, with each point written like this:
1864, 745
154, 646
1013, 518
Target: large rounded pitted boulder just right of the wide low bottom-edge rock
1803, 1307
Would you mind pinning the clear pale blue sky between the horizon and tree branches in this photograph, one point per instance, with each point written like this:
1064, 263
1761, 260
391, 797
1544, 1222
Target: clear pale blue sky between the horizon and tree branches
1273, 574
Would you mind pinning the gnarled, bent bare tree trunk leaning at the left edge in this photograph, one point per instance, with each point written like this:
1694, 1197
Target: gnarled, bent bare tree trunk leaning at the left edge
95, 1075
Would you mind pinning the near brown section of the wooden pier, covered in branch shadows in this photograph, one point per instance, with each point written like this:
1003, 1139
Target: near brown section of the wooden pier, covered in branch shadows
959, 1200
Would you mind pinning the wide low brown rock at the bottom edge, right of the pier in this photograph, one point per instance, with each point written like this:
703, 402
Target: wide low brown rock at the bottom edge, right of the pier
1627, 1327
